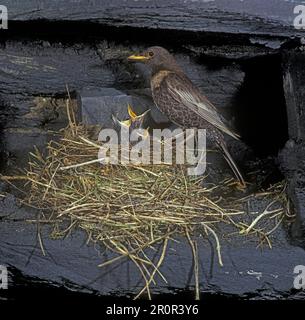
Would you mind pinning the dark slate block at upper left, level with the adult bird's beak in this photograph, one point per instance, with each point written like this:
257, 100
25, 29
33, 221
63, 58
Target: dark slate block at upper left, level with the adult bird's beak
32, 69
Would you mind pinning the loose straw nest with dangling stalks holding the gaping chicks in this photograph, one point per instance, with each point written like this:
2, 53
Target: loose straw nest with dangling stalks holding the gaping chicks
129, 208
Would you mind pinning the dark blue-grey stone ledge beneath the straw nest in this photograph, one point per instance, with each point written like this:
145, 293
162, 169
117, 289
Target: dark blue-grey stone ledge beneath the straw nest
71, 263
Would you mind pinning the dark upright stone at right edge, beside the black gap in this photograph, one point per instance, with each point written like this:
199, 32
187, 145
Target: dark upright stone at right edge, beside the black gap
292, 157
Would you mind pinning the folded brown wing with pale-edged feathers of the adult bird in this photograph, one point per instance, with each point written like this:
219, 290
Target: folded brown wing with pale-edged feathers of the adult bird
182, 90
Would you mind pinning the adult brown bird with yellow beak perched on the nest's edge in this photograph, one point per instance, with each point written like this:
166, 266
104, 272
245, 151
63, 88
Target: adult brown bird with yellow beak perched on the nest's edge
182, 102
